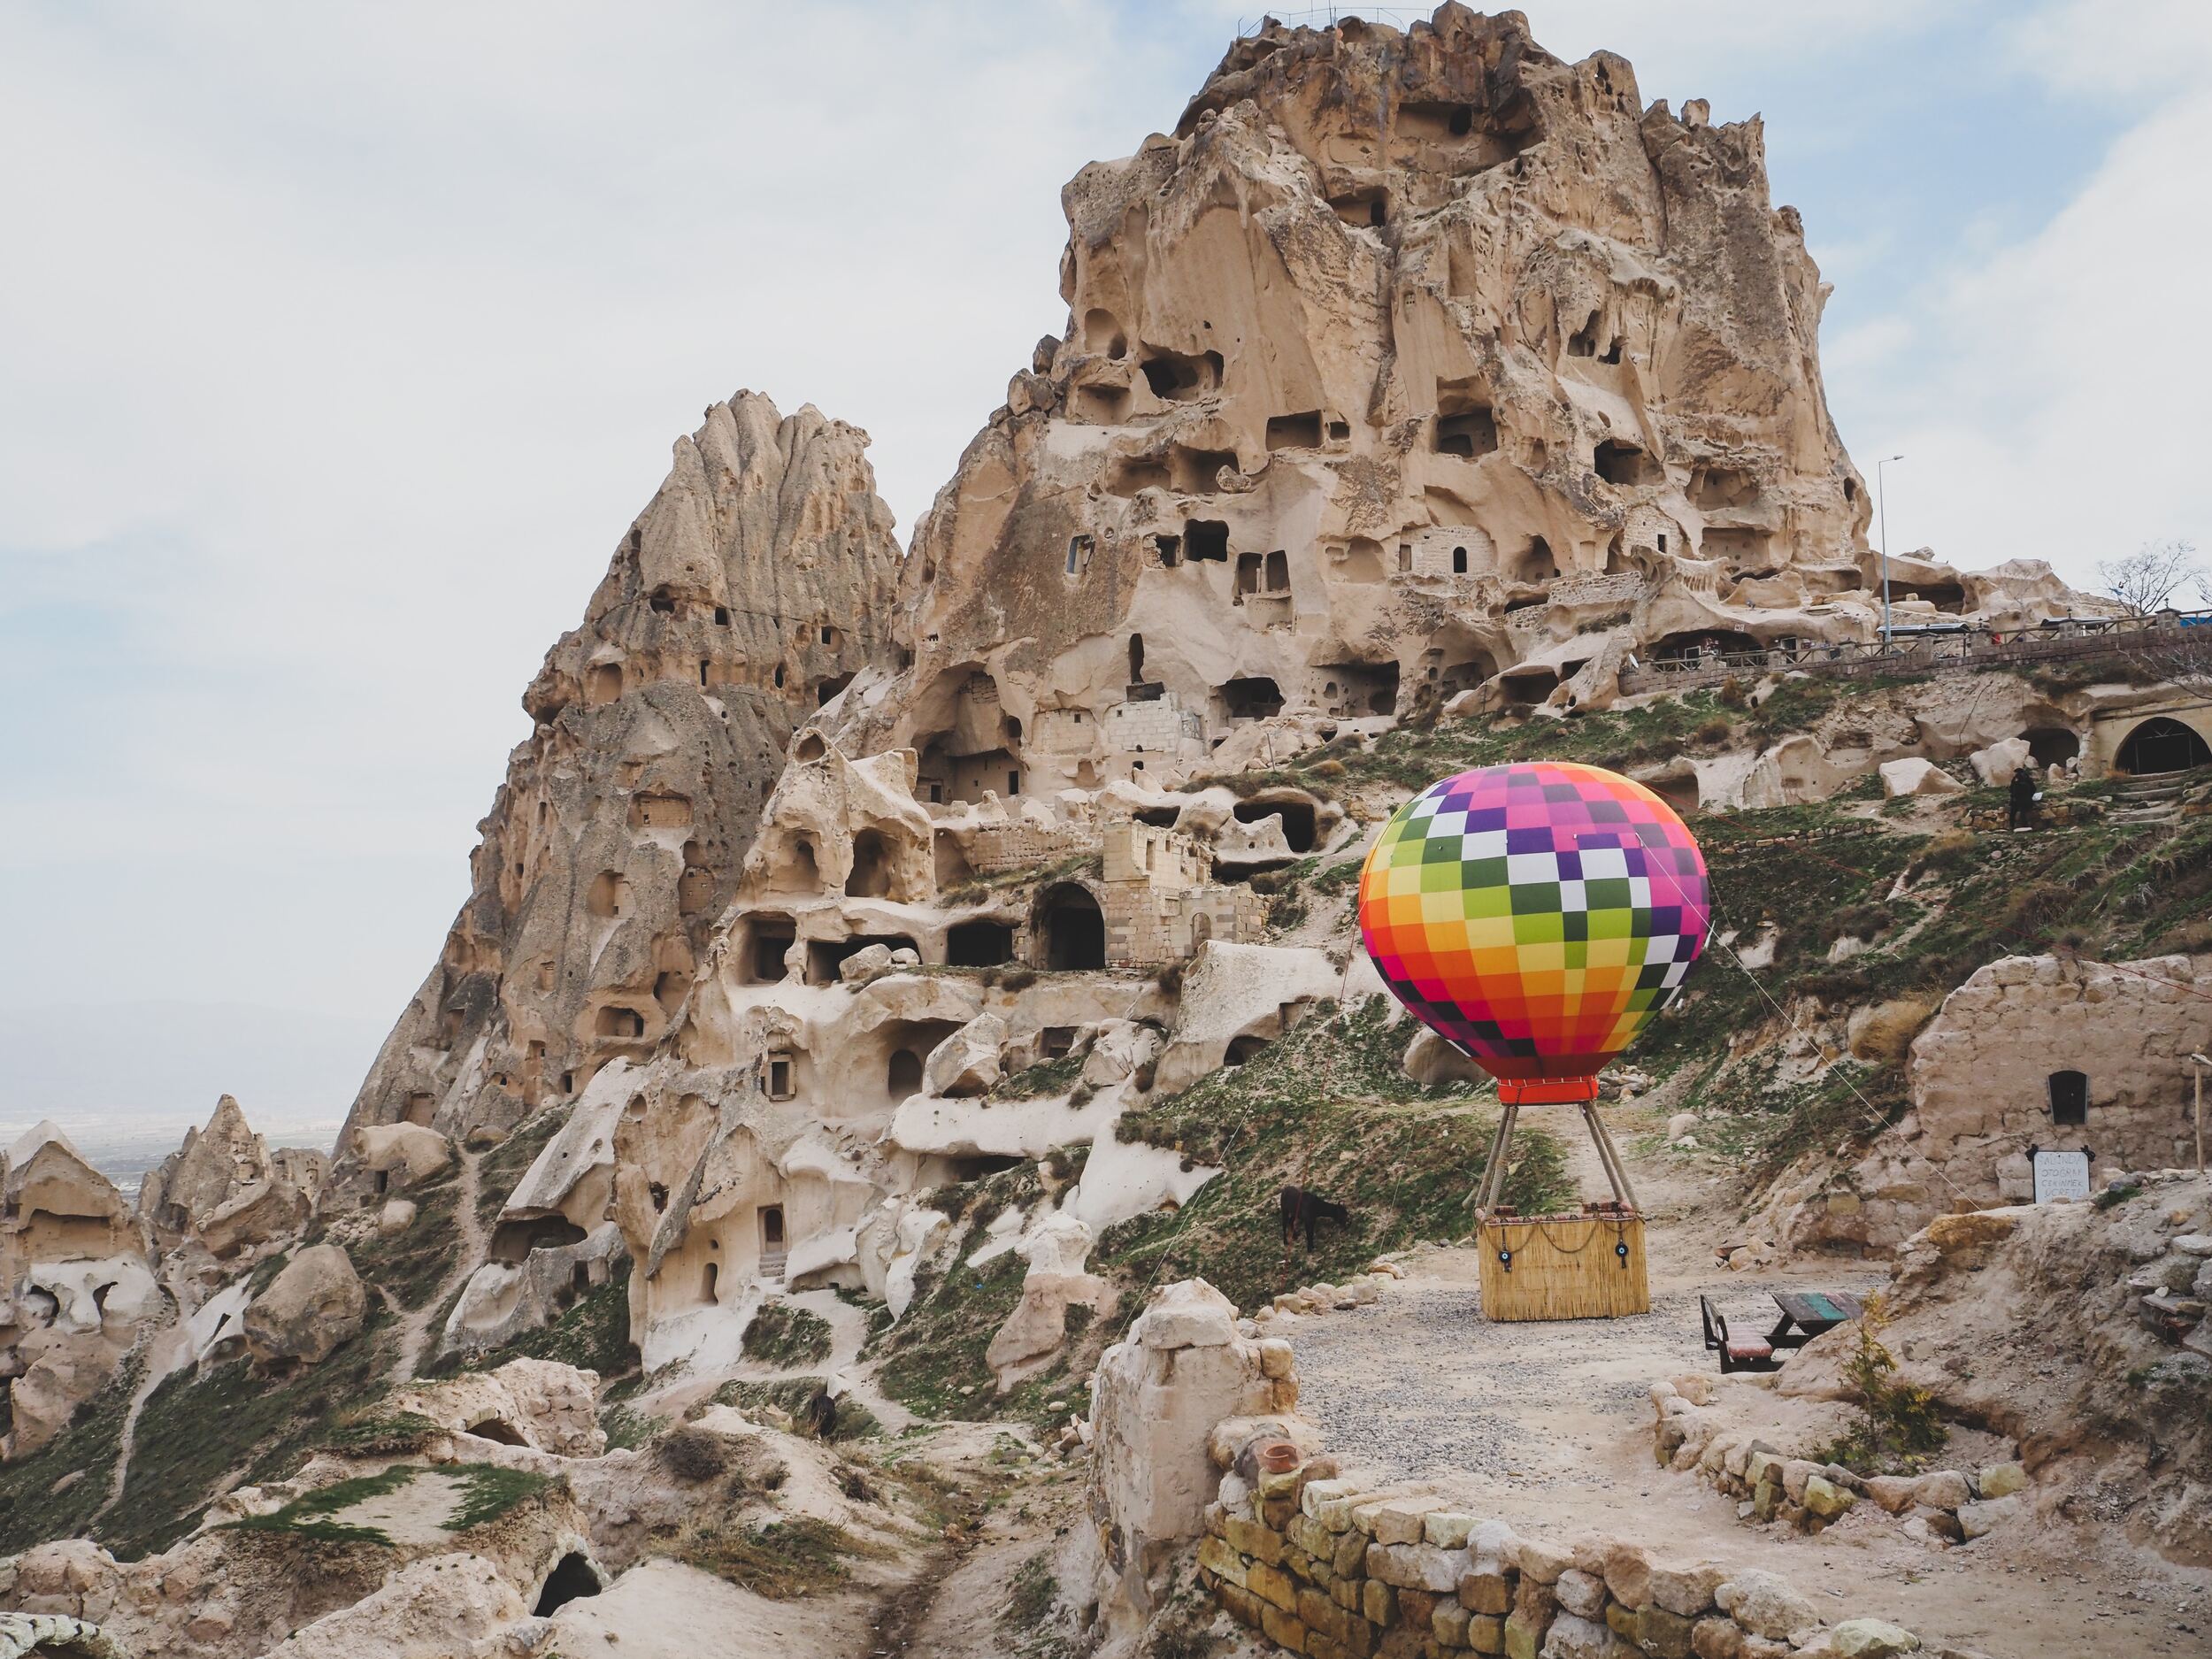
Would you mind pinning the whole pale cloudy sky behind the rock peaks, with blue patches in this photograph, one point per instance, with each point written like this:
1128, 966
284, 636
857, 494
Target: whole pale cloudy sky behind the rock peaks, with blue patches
342, 344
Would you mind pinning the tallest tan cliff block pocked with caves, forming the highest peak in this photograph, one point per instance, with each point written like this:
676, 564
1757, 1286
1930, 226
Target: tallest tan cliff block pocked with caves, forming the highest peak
1415, 364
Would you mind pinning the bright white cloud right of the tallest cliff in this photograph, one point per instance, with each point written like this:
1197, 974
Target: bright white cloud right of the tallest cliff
2045, 395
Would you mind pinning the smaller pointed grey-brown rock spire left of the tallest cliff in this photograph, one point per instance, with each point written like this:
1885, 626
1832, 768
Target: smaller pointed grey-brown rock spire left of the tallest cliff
744, 598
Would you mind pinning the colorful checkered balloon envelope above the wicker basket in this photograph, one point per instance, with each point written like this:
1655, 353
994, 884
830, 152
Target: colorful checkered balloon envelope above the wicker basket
1536, 915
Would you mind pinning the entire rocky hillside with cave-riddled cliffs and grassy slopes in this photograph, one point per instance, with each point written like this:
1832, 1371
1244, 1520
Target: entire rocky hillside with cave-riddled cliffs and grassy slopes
886, 979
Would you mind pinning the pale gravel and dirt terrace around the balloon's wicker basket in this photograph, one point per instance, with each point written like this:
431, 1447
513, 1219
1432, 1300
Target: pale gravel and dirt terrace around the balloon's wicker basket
1547, 1426
